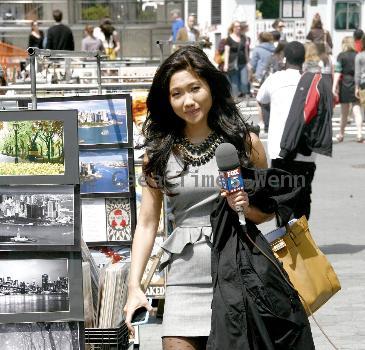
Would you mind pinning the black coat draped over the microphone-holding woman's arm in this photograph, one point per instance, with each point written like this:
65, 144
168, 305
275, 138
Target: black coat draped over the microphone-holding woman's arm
253, 308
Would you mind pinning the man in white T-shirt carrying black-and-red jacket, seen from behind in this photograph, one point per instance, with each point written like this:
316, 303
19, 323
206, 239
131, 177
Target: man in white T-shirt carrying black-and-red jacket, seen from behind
281, 91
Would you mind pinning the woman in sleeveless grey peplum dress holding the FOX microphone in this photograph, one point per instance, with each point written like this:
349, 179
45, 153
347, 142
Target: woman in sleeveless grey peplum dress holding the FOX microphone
190, 111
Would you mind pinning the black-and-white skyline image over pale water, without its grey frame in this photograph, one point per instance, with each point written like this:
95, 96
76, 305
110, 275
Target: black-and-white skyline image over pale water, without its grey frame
34, 286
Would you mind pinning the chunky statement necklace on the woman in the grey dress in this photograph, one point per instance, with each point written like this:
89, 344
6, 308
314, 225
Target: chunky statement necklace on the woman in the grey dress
199, 154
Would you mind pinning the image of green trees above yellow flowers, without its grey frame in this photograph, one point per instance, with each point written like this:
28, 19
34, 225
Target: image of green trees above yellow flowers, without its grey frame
33, 147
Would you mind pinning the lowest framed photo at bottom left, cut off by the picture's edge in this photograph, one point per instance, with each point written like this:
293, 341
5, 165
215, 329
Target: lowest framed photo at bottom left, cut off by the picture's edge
49, 336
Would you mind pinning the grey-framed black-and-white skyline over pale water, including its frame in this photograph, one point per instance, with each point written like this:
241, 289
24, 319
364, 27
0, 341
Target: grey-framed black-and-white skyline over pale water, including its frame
40, 287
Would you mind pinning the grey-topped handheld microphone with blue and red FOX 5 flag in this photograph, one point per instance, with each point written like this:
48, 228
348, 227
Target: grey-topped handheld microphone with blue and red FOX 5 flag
230, 173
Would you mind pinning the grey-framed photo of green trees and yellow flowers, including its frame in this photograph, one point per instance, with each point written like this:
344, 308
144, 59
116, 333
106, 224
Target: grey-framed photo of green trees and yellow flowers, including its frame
38, 147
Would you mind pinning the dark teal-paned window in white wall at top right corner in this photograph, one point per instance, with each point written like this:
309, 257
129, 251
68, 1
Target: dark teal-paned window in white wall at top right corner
347, 15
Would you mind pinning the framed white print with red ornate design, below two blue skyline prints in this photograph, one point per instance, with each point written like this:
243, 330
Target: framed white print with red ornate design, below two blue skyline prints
108, 220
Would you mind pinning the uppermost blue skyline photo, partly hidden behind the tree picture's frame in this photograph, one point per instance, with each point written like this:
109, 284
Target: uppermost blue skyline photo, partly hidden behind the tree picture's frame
99, 121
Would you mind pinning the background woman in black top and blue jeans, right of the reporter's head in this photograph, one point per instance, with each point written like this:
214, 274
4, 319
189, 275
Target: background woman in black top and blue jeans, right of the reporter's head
235, 60
